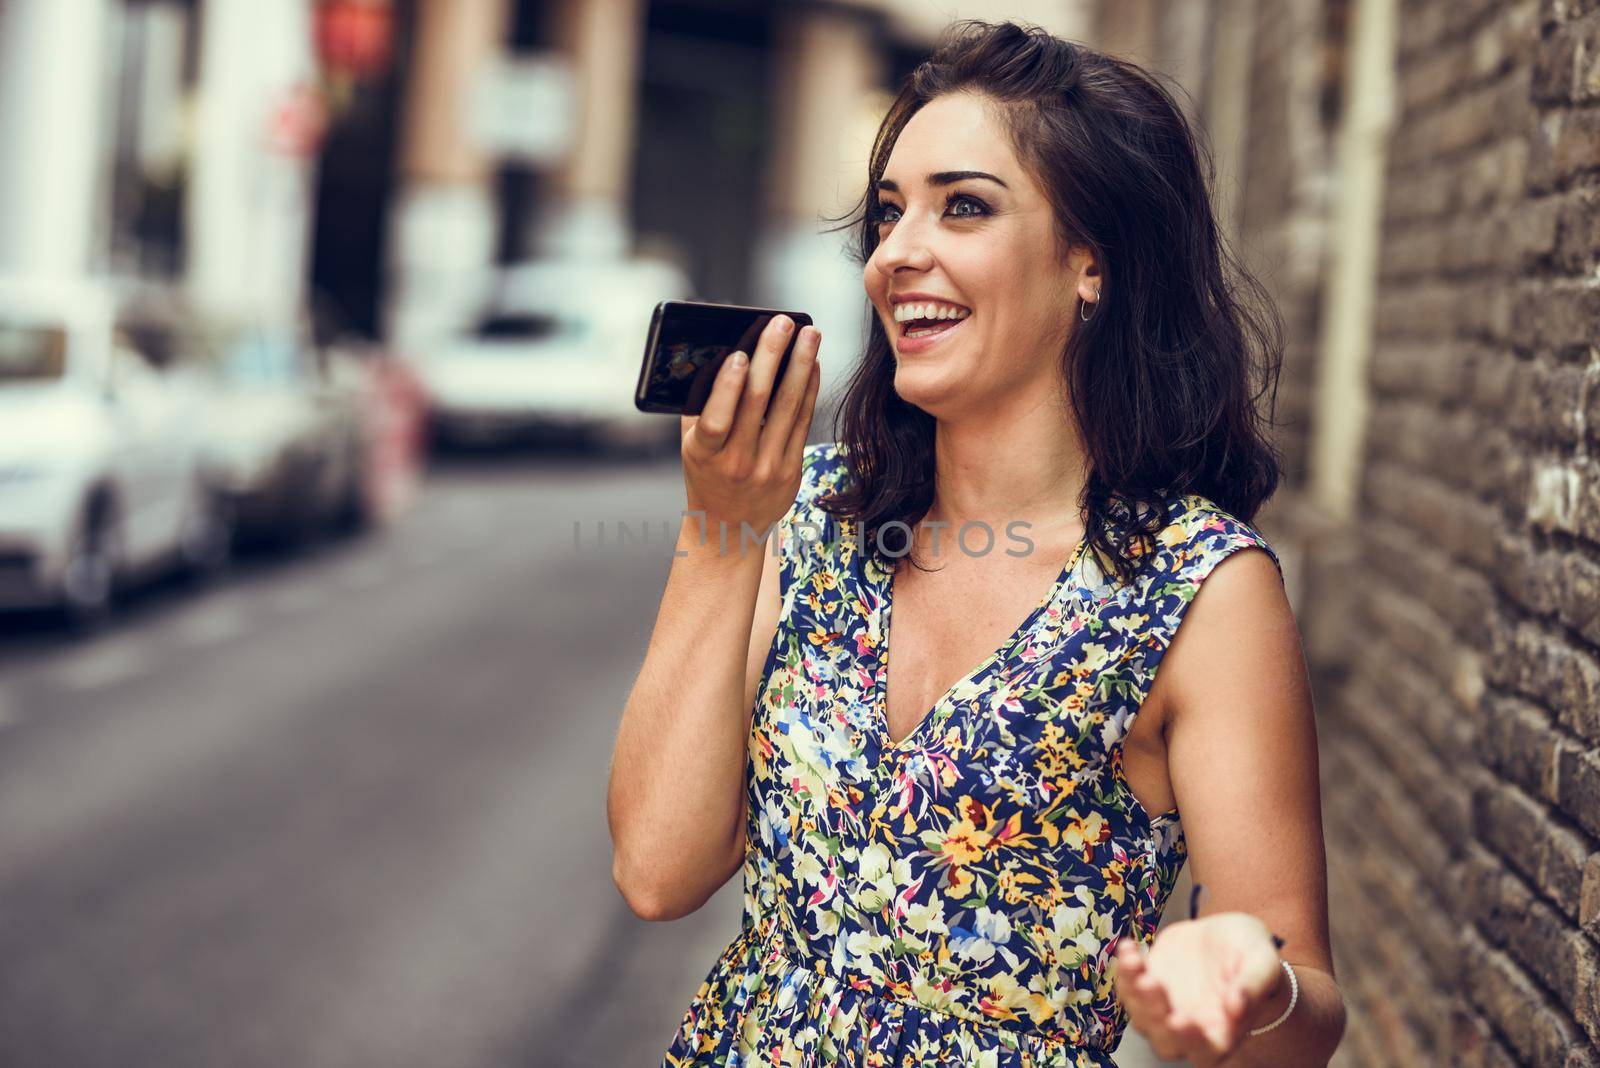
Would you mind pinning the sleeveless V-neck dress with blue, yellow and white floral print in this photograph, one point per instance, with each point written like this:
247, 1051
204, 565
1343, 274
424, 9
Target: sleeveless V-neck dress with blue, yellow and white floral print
958, 898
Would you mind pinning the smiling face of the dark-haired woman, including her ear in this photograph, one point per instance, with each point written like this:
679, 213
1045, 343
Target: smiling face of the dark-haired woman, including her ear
983, 244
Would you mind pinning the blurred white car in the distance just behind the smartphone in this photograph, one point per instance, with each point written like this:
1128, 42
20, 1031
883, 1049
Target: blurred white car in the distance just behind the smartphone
556, 348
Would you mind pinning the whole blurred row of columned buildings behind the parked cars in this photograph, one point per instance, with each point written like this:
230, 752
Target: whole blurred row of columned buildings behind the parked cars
374, 161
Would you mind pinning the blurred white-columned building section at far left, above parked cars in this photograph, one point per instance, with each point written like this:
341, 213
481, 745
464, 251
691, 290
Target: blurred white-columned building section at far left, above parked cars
164, 140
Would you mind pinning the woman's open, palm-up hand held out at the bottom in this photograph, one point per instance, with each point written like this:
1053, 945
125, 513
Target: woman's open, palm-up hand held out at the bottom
1198, 987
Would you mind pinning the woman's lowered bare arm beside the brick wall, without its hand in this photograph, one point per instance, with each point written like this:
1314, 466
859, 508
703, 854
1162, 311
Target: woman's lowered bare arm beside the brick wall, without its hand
1242, 754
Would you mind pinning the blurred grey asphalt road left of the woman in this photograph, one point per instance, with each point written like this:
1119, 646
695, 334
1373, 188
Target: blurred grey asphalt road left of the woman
348, 808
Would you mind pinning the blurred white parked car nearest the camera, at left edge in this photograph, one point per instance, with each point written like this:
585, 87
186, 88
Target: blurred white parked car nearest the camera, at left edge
102, 477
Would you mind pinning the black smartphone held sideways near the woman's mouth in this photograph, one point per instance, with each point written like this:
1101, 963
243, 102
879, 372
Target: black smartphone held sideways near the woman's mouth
687, 345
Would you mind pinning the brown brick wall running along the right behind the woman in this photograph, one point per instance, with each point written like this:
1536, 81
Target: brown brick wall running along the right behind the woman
1454, 628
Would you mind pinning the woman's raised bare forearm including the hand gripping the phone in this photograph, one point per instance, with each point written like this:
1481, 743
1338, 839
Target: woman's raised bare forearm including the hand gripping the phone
676, 797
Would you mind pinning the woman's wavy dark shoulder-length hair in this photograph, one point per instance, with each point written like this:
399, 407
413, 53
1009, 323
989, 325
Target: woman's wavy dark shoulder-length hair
1166, 375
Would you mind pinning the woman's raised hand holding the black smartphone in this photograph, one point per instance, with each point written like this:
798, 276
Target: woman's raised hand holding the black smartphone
737, 468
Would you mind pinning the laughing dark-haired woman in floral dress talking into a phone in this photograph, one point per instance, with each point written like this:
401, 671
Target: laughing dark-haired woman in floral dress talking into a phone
950, 864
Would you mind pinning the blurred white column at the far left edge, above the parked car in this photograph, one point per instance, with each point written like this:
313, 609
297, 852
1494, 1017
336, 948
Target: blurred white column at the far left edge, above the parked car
54, 70
